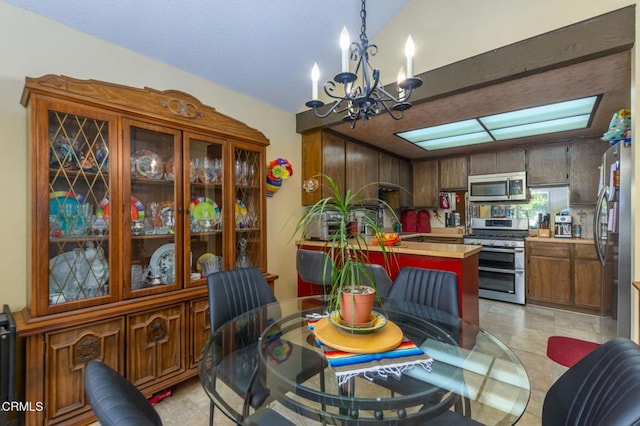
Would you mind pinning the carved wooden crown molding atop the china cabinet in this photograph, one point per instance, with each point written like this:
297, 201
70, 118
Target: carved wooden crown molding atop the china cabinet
168, 105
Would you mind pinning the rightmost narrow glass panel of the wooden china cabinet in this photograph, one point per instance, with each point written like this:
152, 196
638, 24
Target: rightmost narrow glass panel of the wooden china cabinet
248, 178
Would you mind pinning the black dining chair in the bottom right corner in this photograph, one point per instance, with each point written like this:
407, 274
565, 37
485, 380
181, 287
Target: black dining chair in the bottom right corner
603, 388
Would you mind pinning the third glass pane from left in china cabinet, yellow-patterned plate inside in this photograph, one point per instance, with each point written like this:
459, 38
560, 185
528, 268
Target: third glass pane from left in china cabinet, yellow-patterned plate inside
205, 203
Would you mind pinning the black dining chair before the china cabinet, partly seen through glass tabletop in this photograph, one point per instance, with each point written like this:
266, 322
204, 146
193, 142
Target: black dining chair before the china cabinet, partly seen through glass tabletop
231, 294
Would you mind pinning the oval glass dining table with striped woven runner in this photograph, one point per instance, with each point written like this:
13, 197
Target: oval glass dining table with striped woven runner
444, 370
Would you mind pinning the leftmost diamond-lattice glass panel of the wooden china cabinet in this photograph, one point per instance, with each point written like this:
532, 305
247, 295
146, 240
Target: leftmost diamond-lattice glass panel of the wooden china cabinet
78, 186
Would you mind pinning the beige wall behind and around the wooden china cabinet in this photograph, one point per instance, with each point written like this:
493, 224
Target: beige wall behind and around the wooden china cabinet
32, 46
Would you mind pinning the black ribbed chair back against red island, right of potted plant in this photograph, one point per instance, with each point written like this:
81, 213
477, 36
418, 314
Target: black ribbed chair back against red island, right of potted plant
436, 289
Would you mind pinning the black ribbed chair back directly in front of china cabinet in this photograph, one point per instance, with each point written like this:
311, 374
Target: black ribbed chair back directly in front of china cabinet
235, 292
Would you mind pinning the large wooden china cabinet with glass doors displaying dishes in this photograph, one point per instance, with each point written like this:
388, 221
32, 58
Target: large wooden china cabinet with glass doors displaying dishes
136, 195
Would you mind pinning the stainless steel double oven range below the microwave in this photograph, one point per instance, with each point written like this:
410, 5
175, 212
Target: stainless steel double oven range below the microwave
501, 272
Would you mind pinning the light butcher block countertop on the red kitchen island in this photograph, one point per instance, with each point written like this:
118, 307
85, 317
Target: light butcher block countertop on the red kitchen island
454, 251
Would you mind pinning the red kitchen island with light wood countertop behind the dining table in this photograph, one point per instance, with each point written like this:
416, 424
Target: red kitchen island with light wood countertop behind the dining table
458, 258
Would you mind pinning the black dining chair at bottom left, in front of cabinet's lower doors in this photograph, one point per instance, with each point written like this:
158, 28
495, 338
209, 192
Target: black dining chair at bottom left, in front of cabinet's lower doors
114, 400
